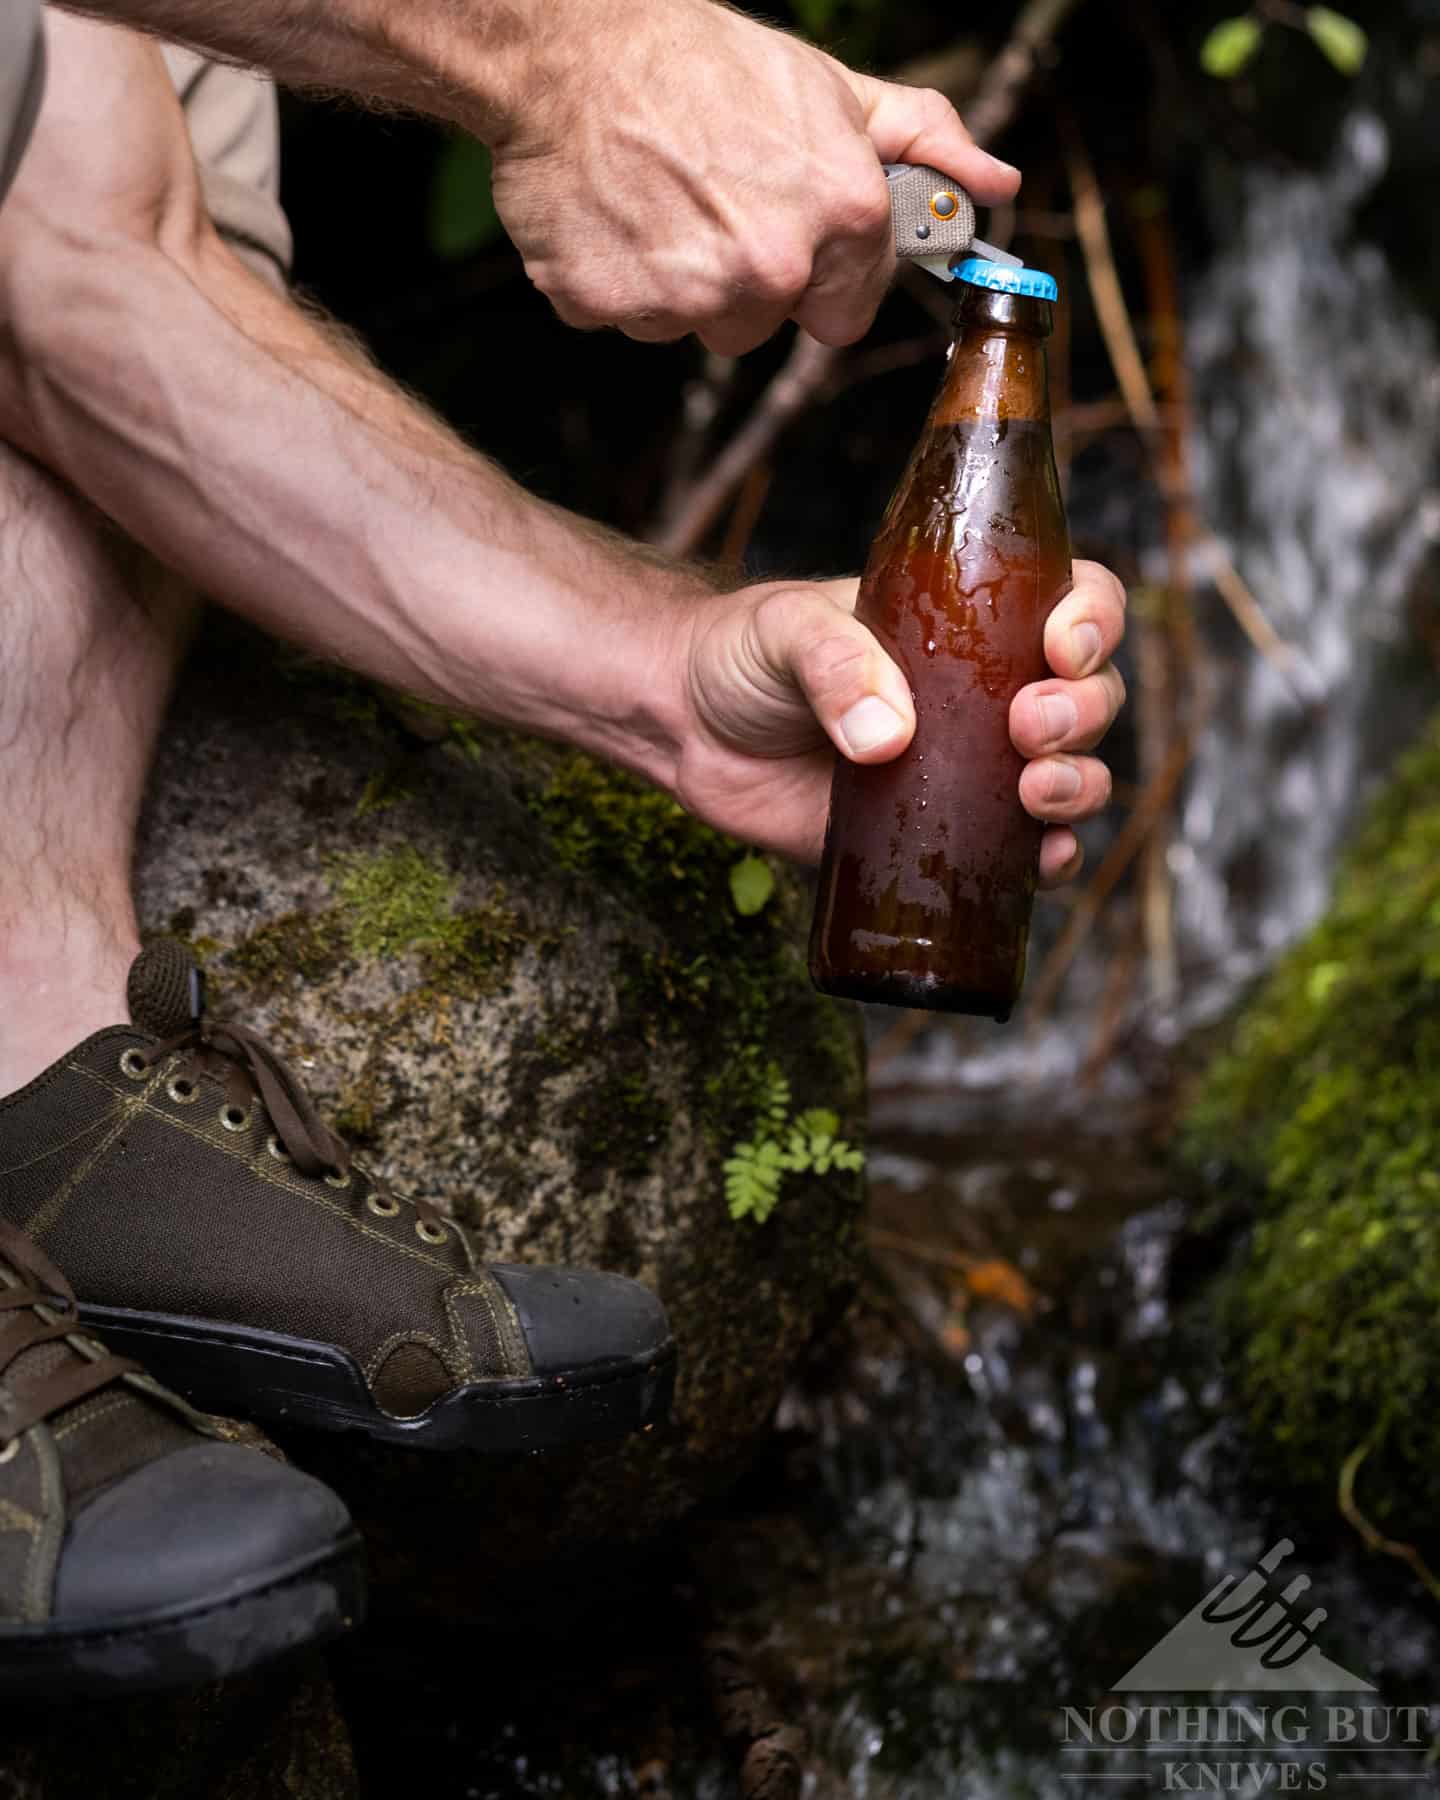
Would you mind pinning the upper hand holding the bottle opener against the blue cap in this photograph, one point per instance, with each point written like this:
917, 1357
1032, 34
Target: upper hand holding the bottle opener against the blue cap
676, 166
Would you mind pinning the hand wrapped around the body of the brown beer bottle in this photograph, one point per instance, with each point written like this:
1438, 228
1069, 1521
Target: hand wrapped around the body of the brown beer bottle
780, 674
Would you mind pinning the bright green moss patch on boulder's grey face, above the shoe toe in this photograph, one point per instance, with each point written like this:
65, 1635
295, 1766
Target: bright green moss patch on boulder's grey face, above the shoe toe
400, 903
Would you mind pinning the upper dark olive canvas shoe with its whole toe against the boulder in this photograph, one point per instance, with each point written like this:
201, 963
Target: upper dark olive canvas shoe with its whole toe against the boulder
220, 1232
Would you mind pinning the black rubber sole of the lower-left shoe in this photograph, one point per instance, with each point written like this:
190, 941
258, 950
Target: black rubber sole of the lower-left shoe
307, 1605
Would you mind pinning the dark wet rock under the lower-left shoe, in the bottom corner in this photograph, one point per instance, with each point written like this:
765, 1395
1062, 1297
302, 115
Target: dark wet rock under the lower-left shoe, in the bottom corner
267, 1738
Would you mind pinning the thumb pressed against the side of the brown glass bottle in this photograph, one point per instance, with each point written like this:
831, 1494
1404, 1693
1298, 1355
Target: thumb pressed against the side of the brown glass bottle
809, 638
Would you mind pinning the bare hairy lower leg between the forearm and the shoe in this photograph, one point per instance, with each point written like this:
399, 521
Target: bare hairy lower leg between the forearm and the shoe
91, 636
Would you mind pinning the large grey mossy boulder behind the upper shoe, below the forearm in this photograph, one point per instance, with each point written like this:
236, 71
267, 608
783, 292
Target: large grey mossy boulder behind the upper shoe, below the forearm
523, 987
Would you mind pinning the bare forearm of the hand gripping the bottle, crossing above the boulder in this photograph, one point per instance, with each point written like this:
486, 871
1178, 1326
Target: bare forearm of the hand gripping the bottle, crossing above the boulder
237, 442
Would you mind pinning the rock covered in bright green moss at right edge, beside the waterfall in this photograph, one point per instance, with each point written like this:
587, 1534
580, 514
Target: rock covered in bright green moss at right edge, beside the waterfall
1322, 1120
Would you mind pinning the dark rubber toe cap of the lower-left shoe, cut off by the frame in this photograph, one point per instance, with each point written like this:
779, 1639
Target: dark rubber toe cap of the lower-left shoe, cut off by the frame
193, 1529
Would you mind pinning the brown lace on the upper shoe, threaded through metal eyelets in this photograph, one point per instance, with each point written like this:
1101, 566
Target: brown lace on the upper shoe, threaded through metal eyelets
251, 1072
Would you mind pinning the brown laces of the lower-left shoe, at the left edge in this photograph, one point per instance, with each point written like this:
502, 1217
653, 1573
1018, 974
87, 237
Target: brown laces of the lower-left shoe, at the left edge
30, 1282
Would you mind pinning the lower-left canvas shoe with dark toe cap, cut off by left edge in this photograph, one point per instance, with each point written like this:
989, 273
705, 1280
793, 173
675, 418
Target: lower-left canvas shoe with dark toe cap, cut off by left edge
138, 1547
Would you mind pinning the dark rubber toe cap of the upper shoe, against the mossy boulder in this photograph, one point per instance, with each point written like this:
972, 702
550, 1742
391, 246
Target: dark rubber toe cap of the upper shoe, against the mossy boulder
577, 1318
